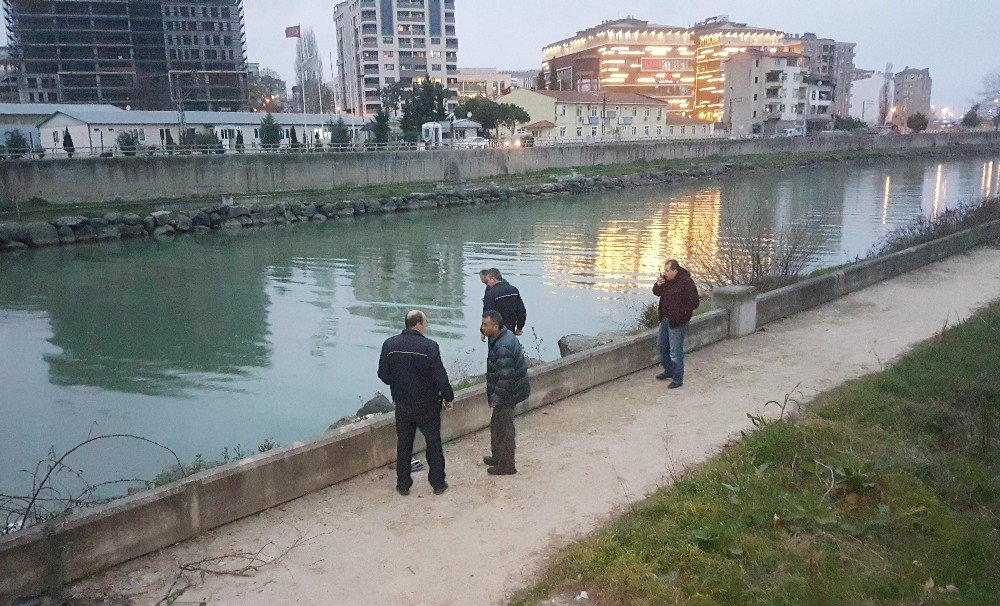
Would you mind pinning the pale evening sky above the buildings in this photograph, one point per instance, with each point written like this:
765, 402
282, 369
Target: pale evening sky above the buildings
957, 39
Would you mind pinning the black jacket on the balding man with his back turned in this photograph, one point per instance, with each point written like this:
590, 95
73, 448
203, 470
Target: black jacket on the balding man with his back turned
411, 366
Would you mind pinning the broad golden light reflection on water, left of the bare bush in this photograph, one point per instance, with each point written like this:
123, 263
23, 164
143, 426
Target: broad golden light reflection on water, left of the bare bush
630, 251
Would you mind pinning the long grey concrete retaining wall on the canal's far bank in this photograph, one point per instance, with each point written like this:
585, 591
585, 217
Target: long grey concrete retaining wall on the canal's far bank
99, 180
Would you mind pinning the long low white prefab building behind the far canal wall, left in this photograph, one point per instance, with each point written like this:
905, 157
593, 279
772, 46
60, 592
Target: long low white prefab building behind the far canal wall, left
95, 132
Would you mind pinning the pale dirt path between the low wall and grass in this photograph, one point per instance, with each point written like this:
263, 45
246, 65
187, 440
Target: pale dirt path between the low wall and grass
580, 461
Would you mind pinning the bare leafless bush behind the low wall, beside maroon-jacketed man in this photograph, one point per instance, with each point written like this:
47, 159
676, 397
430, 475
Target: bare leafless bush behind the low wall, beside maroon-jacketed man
752, 252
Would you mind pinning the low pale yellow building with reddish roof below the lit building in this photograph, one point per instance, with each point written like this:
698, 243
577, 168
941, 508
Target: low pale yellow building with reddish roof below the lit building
580, 116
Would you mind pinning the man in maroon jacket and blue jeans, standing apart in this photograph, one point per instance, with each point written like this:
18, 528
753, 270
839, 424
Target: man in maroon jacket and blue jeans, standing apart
678, 300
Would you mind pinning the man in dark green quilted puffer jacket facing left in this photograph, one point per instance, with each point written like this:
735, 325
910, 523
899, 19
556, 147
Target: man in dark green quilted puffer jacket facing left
506, 386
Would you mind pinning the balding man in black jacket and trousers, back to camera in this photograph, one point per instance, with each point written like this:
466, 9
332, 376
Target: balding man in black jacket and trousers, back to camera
411, 366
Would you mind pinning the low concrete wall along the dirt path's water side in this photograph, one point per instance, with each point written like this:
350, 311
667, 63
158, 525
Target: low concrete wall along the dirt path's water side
49, 555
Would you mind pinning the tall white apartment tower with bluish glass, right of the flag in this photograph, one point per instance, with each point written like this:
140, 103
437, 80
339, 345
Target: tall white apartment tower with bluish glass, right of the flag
381, 42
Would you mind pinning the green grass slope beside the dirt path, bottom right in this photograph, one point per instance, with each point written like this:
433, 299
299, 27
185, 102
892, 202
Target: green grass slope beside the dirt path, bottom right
887, 483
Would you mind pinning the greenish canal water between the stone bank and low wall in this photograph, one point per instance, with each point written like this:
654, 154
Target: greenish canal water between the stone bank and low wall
228, 339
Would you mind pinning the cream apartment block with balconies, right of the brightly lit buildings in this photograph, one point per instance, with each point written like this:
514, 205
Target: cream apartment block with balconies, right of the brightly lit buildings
766, 93
